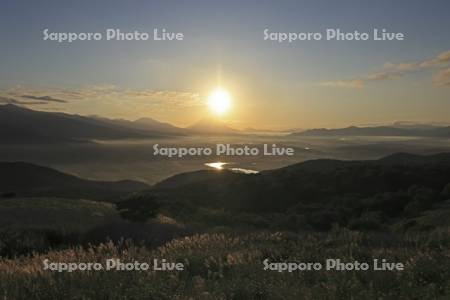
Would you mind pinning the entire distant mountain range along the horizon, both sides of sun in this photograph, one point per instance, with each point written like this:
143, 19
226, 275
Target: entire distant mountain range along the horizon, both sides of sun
23, 125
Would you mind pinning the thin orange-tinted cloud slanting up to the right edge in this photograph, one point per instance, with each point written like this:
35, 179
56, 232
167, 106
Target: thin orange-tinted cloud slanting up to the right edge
393, 71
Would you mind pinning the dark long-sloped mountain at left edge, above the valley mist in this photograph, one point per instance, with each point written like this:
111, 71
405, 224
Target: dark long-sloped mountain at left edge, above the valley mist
22, 125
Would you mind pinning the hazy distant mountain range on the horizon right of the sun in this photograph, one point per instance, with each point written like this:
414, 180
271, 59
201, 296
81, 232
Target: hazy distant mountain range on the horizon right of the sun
411, 130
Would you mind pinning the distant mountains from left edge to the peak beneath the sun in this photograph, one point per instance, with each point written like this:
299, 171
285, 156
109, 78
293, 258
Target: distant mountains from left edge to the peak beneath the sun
23, 125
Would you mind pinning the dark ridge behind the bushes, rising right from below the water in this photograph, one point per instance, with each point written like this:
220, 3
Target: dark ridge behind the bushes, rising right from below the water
307, 182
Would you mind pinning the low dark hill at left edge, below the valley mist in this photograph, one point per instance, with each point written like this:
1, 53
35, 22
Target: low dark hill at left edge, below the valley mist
25, 179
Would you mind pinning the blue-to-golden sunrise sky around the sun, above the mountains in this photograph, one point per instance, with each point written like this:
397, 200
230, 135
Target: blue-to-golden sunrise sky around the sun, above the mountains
303, 84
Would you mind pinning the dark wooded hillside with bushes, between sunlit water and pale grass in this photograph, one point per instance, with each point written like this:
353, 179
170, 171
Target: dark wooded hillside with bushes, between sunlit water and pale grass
394, 192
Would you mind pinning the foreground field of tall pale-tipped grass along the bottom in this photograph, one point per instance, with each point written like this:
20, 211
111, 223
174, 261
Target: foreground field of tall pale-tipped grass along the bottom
222, 266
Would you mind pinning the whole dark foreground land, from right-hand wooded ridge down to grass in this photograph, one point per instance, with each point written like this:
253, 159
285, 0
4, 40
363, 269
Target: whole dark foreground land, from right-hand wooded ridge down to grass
223, 225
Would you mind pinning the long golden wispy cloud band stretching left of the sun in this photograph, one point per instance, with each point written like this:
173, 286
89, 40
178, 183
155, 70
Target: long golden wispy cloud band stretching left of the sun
101, 98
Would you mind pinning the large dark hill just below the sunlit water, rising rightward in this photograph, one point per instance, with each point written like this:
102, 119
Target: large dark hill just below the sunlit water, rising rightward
392, 186
